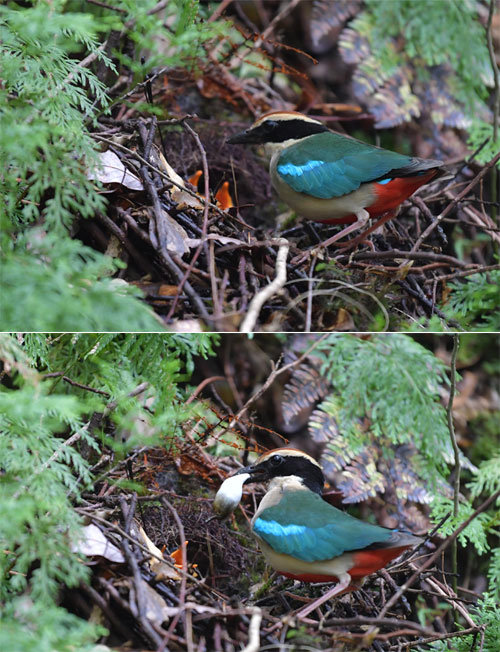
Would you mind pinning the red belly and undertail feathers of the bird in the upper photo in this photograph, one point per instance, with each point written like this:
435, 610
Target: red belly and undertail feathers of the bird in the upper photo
388, 196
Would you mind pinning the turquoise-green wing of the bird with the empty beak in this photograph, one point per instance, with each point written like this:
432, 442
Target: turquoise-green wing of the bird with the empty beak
327, 165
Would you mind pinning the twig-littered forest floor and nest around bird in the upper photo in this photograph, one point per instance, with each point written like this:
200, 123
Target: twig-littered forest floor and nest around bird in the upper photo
203, 234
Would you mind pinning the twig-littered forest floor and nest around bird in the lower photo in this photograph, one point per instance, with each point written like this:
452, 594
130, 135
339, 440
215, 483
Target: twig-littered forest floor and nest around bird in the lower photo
202, 583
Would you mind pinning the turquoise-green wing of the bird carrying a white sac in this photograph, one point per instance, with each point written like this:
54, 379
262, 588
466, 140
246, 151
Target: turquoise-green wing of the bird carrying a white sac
306, 527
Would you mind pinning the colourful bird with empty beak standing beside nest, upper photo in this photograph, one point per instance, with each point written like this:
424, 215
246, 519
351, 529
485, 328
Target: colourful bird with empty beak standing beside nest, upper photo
332, 178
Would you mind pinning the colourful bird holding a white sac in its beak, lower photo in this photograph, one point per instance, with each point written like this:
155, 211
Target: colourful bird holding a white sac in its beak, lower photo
301, 535
